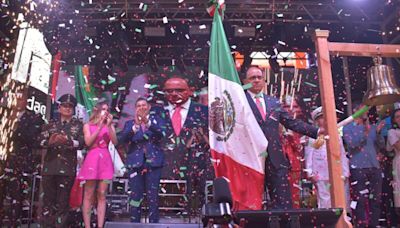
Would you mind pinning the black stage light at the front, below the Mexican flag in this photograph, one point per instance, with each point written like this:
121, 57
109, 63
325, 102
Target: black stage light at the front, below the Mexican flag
219, 211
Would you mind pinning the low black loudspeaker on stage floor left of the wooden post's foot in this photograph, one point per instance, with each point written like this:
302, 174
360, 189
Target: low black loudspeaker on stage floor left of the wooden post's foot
289, 218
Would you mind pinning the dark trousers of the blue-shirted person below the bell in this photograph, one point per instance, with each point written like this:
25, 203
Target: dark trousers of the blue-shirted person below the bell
366, 186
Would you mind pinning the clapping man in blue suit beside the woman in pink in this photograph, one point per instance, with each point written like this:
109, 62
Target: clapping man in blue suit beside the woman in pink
145, 159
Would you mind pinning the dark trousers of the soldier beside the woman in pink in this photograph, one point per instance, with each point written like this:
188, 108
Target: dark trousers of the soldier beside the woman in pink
56, 191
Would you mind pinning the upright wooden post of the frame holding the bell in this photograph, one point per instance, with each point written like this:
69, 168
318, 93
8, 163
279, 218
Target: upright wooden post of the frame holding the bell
329, 110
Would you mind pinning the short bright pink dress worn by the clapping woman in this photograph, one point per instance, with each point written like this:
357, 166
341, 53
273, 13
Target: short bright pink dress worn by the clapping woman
98, 164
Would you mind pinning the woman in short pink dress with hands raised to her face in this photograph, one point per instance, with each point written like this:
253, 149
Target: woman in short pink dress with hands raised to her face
97, 169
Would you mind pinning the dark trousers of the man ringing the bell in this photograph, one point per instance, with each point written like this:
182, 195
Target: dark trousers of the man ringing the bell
277, 183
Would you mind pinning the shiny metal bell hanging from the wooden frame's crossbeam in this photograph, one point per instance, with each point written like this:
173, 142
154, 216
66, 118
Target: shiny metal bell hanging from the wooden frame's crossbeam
382, 88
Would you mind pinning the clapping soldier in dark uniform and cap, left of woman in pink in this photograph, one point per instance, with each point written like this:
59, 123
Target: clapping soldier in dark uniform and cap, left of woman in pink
62, 138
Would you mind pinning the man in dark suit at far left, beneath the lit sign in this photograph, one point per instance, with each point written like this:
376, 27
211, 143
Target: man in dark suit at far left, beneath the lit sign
21, 163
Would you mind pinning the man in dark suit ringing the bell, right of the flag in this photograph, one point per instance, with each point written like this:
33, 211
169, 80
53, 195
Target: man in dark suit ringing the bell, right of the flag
269, 114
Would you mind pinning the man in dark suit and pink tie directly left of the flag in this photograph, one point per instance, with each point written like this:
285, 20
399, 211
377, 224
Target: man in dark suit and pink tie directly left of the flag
186, 153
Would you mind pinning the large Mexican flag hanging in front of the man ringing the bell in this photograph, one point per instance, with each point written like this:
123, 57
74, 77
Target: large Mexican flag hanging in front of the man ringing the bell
237, 142
